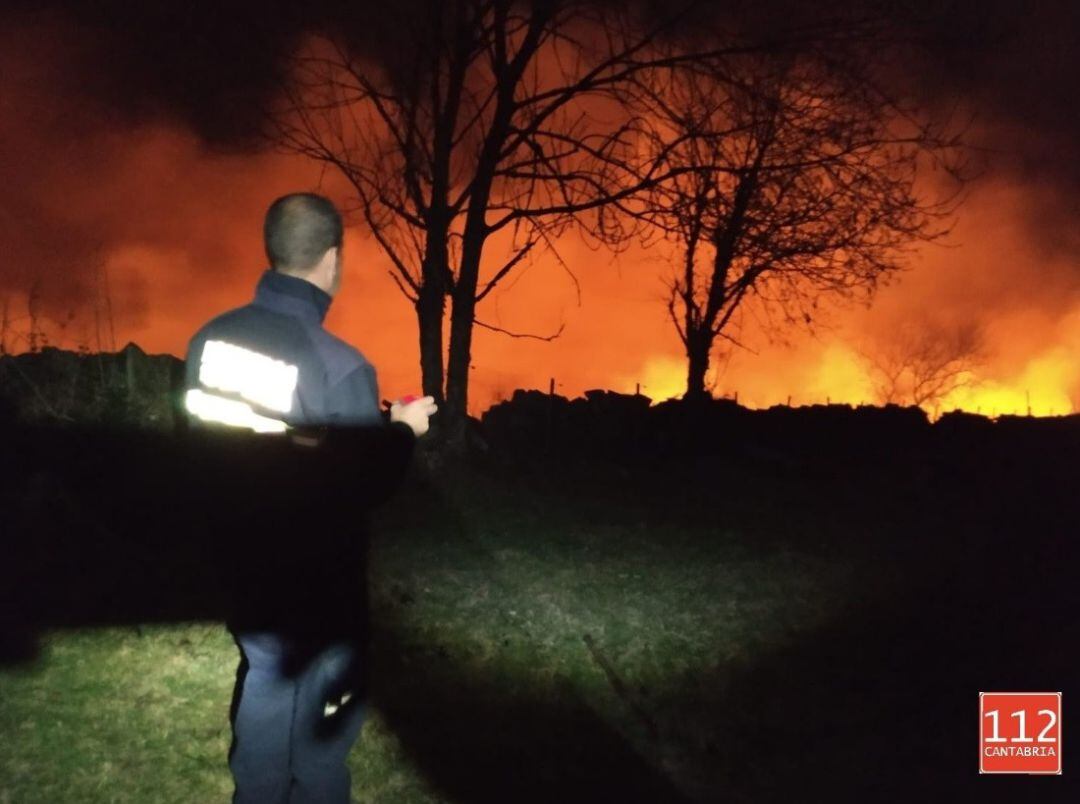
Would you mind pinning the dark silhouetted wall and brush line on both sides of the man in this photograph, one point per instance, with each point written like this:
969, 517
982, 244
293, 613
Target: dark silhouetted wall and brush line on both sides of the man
131, 388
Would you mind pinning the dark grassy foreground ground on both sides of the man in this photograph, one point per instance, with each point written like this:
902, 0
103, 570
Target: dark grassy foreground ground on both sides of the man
744, 627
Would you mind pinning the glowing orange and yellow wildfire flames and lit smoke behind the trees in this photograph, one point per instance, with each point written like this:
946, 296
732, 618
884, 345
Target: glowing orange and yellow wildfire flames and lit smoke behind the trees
141, 234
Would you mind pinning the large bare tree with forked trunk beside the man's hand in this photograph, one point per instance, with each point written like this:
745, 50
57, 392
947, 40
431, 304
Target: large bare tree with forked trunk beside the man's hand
475, 129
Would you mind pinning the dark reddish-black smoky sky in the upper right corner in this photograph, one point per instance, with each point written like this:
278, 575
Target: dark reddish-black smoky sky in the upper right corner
1017, 66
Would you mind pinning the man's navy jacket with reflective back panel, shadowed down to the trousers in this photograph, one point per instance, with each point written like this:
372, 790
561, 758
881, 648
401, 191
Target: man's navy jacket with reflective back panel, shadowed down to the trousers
290, 520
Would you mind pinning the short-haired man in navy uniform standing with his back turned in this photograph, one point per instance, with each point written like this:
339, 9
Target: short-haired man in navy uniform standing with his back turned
300, 609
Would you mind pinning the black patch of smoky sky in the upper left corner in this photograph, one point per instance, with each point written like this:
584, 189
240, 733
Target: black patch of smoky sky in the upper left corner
208, 66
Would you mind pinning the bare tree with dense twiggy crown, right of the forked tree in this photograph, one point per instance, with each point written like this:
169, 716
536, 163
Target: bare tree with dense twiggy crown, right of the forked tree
799, 183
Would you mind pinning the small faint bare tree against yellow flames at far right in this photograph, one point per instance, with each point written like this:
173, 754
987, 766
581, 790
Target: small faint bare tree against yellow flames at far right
923, 363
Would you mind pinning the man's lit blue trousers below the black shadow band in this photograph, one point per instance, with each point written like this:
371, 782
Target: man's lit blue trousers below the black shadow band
298, 709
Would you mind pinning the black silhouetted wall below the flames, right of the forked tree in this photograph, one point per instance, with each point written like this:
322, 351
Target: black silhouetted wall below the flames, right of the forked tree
626, 426
